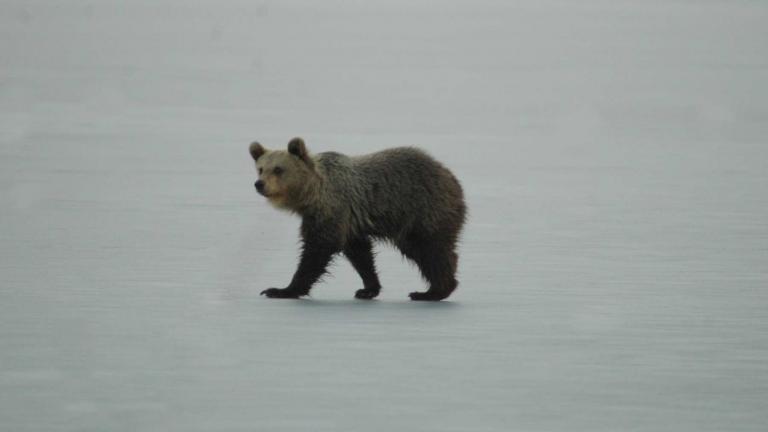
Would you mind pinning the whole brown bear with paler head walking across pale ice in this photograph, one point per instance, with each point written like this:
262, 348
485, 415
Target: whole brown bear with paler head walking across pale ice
399, 195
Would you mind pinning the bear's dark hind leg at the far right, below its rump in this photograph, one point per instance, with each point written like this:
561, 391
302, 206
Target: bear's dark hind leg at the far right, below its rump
437, 262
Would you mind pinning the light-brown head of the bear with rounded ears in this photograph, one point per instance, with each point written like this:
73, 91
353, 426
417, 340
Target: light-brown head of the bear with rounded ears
286, 178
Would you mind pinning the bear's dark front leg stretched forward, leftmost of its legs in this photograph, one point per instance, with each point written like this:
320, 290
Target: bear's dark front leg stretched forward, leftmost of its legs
314, 261
